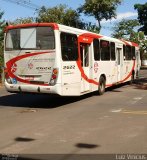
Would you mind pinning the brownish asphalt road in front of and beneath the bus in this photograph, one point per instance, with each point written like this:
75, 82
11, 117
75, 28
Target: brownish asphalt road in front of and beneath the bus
113, 123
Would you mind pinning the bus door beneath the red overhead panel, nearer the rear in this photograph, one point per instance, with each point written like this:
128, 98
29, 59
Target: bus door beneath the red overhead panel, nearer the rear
85, 63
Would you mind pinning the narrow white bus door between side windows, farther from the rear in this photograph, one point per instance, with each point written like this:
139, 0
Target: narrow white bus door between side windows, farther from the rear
119, 63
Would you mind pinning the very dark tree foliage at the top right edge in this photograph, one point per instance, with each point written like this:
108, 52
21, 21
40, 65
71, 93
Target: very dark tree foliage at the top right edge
142, 16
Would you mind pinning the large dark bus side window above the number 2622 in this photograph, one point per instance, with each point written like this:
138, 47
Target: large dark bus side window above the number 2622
69, 47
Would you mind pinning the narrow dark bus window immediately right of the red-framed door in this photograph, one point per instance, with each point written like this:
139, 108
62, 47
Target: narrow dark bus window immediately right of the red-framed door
96, 48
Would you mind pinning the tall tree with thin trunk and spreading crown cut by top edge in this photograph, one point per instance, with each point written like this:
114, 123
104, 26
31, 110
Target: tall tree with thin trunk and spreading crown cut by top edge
100, 9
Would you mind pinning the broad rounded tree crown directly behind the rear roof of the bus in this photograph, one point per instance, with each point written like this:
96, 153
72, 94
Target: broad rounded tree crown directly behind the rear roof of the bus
60, 14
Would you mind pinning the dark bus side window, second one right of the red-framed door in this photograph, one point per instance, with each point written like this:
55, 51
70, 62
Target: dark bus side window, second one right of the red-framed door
105, 50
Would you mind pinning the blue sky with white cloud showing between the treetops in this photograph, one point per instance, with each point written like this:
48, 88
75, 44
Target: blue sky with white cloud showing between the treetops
13, 11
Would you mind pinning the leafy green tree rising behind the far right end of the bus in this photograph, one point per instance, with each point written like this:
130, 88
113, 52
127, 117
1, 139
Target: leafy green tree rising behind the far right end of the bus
125, 29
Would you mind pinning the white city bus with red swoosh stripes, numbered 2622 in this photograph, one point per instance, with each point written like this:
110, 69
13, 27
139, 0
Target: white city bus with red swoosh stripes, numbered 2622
57, 59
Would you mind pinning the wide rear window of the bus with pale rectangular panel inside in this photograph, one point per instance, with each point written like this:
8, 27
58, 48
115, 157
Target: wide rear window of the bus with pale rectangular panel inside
35, 38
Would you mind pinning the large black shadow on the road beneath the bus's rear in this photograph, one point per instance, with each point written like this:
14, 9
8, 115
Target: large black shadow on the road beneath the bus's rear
38, 101
